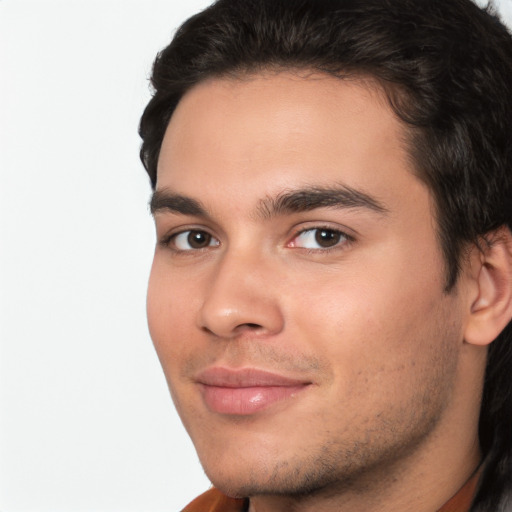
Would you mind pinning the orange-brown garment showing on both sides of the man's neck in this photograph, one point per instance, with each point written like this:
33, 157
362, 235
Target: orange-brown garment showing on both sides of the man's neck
214, 501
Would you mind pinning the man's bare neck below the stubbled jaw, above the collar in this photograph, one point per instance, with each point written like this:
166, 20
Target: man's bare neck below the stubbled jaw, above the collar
423, 480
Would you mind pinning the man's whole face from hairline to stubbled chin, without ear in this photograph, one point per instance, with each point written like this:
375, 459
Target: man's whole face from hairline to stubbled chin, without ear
296, 296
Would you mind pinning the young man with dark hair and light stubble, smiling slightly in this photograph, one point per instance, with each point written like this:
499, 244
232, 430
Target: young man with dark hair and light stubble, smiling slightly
331, 293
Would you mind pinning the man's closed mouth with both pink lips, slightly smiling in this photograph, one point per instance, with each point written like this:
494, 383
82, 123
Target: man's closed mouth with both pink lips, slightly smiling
246, 391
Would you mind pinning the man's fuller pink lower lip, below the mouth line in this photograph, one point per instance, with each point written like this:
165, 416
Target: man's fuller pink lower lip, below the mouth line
246, 401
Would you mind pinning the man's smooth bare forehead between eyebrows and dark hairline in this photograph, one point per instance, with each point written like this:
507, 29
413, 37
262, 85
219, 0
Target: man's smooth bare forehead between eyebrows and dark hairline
270, 132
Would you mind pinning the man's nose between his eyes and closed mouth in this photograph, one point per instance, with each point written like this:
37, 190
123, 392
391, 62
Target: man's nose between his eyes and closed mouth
241, 299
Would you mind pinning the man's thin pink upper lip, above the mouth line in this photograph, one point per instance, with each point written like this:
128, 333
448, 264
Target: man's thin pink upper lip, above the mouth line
245, 378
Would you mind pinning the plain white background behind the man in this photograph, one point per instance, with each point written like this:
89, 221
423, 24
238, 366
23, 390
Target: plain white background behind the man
86, 422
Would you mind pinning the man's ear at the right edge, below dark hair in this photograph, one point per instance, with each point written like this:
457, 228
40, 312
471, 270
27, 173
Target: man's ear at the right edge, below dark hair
491, 305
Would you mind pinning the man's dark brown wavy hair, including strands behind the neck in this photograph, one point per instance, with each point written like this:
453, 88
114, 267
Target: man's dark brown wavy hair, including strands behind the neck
446, 66
